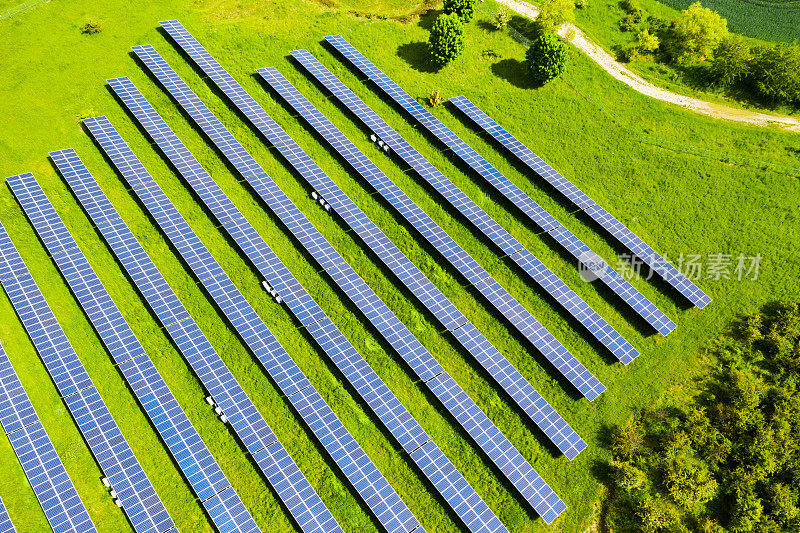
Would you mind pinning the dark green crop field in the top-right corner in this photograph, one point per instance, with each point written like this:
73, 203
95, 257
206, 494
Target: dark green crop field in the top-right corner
773, 20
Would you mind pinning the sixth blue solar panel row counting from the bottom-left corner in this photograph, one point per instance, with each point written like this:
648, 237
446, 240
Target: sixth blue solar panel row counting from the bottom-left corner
328, 429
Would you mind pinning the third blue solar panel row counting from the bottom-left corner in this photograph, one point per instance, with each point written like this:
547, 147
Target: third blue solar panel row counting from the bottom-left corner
139, 500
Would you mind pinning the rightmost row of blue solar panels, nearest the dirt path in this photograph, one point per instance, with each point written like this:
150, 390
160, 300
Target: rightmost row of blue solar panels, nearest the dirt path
630, 240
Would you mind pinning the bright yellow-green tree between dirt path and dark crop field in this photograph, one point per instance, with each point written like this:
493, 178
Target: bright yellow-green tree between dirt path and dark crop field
696, 33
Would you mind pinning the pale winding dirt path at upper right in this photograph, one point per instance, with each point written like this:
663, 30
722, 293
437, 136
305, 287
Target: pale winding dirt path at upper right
620, 72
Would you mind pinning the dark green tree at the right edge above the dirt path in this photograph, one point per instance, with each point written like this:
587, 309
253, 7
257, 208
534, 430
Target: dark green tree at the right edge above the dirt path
776, 72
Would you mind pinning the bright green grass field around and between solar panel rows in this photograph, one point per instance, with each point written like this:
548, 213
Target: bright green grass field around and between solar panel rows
53, 75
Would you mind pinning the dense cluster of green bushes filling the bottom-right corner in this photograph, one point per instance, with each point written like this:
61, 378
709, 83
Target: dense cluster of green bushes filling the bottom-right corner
729, 460
